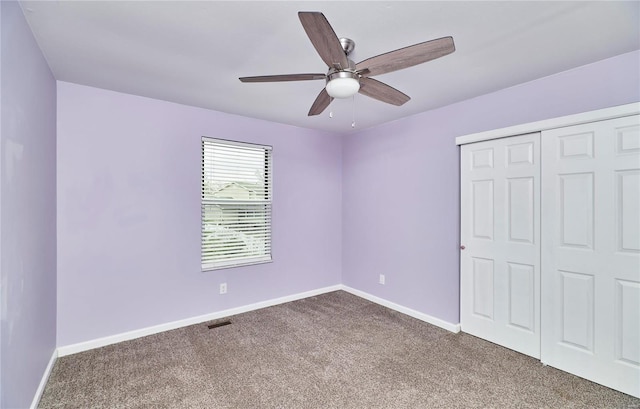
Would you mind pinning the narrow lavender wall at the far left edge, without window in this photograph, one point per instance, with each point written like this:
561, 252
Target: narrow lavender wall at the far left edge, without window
28, 211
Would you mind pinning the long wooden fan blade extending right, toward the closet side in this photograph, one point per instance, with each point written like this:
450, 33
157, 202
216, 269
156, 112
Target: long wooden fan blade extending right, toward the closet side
406, 57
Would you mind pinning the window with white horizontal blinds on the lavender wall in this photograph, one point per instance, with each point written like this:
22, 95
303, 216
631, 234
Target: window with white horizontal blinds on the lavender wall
236, 203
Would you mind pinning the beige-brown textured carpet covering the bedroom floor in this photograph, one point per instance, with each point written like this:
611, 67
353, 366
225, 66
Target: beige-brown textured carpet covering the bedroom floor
330, 351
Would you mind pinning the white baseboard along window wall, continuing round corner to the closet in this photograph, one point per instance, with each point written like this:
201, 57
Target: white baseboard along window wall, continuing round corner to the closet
143, 332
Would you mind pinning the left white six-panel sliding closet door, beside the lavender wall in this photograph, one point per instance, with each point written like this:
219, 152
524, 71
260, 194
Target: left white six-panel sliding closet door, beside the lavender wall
500, 233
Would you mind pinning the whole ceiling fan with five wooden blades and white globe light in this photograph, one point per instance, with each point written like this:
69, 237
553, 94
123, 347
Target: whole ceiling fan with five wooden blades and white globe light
346, 78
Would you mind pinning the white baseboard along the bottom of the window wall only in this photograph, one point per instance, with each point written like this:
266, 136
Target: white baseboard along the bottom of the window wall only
143, 332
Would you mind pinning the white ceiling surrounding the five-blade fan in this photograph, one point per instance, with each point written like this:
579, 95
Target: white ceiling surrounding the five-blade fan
193, 52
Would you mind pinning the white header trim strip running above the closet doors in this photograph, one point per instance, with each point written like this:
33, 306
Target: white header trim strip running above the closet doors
569, 120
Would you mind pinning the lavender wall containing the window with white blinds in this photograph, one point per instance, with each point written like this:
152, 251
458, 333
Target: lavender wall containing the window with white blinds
129, 213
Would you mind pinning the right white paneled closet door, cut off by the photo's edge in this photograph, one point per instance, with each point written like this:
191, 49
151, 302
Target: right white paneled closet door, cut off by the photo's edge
591, 251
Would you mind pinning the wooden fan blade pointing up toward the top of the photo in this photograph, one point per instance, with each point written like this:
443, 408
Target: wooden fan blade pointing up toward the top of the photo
323, 38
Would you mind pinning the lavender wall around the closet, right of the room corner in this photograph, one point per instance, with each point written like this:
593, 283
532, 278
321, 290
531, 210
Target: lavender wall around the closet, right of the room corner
401, 181
